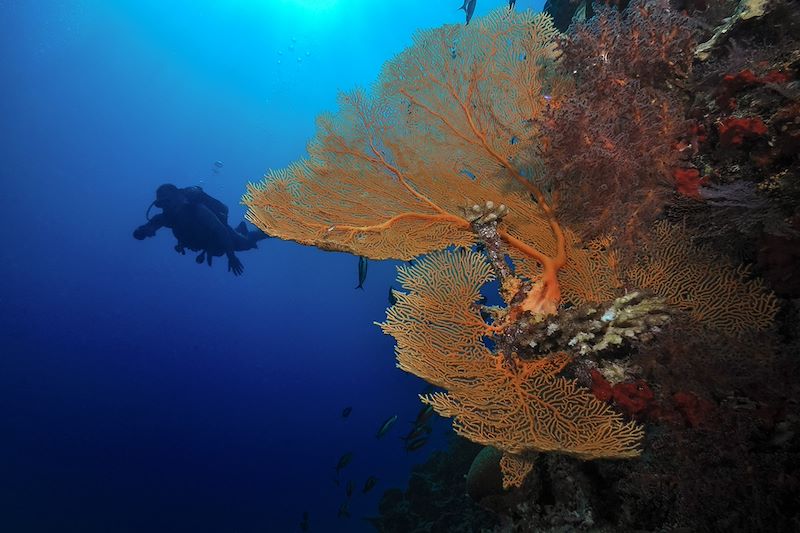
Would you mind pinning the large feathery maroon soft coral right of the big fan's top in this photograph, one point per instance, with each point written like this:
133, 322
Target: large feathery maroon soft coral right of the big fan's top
611, 143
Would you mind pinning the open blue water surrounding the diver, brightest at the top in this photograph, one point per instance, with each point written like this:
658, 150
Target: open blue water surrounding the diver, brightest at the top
140, 391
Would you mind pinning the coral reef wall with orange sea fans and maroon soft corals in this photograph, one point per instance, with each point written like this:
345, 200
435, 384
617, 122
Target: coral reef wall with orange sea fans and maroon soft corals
634, 193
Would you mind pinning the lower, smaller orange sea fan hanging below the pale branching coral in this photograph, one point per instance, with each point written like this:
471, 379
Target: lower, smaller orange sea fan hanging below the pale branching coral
527, 408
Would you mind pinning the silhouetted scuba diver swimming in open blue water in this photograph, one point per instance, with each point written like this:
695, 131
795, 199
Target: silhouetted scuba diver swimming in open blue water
200, 223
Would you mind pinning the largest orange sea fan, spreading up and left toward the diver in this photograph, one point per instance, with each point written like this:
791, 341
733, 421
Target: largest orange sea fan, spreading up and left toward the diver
452, 122
